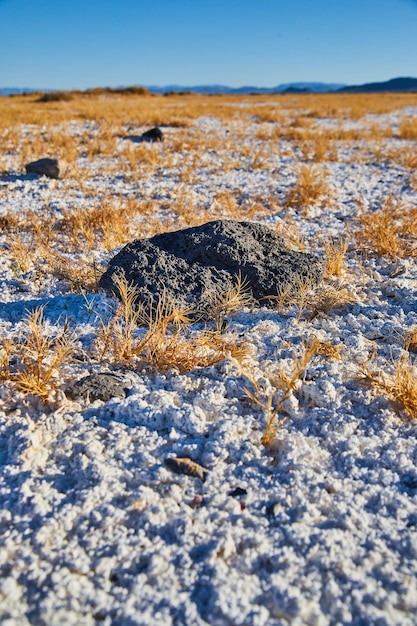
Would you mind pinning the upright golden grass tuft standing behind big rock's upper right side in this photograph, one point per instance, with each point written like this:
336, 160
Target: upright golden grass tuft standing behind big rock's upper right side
311, 188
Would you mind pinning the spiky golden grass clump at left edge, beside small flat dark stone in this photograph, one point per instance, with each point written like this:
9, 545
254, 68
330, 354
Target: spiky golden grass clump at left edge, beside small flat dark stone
32, 362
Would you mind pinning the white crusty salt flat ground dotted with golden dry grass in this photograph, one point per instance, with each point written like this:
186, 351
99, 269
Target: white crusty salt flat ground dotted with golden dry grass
314, 523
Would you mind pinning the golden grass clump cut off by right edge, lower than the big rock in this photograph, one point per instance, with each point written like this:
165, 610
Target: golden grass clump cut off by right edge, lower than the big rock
399, 383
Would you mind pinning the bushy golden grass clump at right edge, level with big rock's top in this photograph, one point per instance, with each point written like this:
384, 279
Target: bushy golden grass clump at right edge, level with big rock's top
389, 231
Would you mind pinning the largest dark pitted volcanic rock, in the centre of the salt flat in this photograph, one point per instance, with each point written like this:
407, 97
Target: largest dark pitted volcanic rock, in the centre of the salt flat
193, 264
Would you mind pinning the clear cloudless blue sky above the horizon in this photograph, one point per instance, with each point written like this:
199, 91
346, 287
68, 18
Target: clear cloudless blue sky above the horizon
87, 43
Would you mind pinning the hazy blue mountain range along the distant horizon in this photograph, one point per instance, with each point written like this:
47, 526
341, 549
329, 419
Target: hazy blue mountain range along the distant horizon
395, 84
